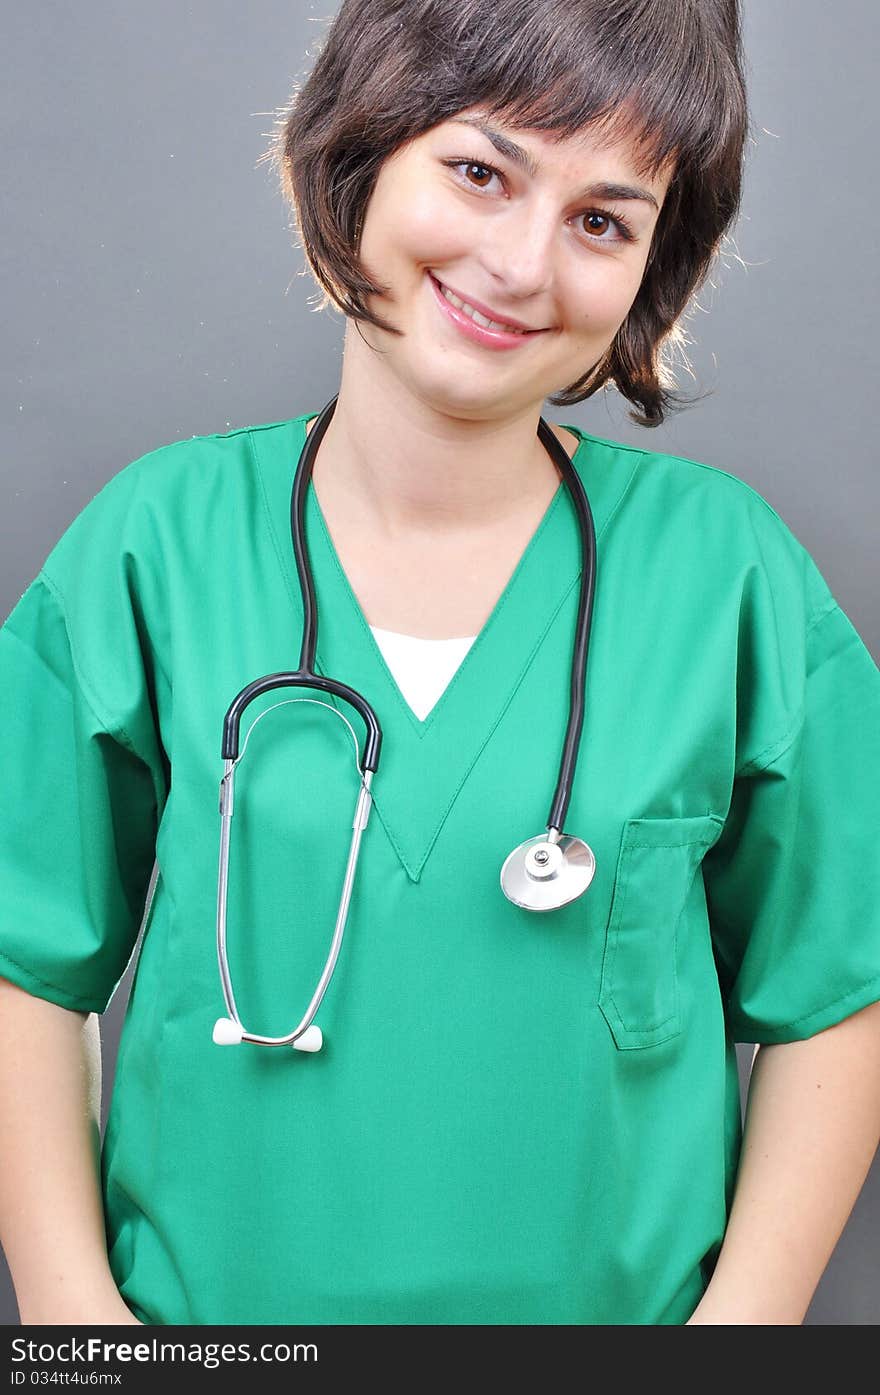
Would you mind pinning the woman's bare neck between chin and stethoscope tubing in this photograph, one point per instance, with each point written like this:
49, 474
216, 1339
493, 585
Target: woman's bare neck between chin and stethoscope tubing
402, 468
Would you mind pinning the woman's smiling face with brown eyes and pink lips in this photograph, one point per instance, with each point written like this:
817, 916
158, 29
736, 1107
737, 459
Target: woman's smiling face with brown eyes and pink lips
543, 246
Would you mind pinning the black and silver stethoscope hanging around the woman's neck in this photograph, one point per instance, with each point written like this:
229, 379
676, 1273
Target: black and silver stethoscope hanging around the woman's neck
540, 875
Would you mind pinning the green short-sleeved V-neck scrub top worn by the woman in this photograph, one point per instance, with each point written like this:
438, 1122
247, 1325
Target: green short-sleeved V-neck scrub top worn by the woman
517, 1118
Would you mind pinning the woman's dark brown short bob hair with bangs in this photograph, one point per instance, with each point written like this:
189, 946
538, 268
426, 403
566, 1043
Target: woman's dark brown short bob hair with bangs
665, 75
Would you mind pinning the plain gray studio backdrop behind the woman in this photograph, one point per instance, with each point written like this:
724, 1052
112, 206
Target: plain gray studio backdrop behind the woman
151, 292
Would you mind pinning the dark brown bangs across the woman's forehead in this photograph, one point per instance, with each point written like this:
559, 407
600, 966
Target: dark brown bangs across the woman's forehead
642, 75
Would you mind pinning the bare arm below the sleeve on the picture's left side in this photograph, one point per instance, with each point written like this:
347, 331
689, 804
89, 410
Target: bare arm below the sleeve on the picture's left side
51, 1209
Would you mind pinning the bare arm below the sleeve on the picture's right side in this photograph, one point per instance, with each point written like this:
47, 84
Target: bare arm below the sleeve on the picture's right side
811, 1133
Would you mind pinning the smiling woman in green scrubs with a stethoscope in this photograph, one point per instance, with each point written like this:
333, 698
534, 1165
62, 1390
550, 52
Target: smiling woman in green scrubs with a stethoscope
515, 1117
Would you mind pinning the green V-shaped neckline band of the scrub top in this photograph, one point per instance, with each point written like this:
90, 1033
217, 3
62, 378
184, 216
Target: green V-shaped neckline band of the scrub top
426, 764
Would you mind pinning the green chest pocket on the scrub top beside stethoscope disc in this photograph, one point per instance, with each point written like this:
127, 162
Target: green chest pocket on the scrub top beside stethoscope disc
653, 888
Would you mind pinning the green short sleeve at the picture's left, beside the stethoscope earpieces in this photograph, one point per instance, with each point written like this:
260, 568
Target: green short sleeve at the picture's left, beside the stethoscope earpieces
84, 779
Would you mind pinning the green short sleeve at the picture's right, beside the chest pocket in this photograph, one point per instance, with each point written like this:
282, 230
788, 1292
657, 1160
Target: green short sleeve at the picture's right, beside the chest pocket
793, 884
